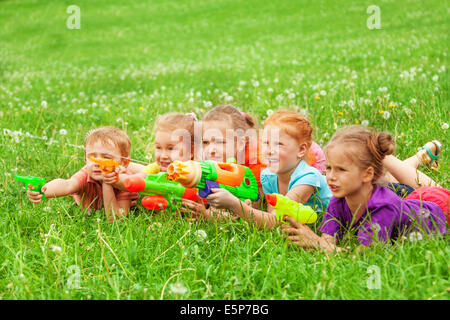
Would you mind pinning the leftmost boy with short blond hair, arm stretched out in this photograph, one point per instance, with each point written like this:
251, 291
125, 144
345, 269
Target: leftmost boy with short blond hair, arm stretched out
90, 187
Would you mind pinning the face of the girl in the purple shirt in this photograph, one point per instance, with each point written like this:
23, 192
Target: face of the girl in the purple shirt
344, 177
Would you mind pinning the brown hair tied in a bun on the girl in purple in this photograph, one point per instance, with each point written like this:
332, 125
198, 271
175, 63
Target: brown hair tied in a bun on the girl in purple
366, 148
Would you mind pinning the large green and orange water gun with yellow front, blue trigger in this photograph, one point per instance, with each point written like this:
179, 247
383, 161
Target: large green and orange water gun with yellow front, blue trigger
237, 179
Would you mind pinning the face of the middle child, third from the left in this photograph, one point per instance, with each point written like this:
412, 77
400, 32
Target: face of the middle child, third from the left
216, 146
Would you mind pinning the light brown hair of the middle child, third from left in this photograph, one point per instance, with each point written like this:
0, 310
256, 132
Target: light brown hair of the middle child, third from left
237, 119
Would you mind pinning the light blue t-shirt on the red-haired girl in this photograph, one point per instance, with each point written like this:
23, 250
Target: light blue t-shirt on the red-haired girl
302, 175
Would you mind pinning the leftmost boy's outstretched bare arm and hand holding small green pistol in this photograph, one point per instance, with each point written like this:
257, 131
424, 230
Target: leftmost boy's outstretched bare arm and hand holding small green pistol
54, 188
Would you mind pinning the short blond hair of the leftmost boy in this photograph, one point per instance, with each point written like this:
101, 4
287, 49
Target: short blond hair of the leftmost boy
110, 135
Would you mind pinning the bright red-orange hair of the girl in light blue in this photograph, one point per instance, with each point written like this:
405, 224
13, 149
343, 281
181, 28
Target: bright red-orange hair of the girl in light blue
293, 123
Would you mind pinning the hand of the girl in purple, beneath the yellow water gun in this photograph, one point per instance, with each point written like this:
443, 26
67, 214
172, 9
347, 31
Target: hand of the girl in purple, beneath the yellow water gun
299, 234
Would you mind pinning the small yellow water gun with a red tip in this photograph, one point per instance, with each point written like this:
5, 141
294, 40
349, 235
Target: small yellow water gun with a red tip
285, 206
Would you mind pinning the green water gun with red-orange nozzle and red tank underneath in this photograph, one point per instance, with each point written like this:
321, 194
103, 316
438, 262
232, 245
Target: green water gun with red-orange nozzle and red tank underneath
161, 192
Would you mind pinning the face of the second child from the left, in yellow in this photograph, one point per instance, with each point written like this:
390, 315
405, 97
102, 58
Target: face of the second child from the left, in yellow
170, 147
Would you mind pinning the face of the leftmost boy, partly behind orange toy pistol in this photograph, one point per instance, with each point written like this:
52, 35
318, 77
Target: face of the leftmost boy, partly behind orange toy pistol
101, 150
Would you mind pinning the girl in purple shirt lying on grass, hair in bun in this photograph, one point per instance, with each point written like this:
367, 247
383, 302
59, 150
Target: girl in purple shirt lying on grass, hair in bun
354, 161
